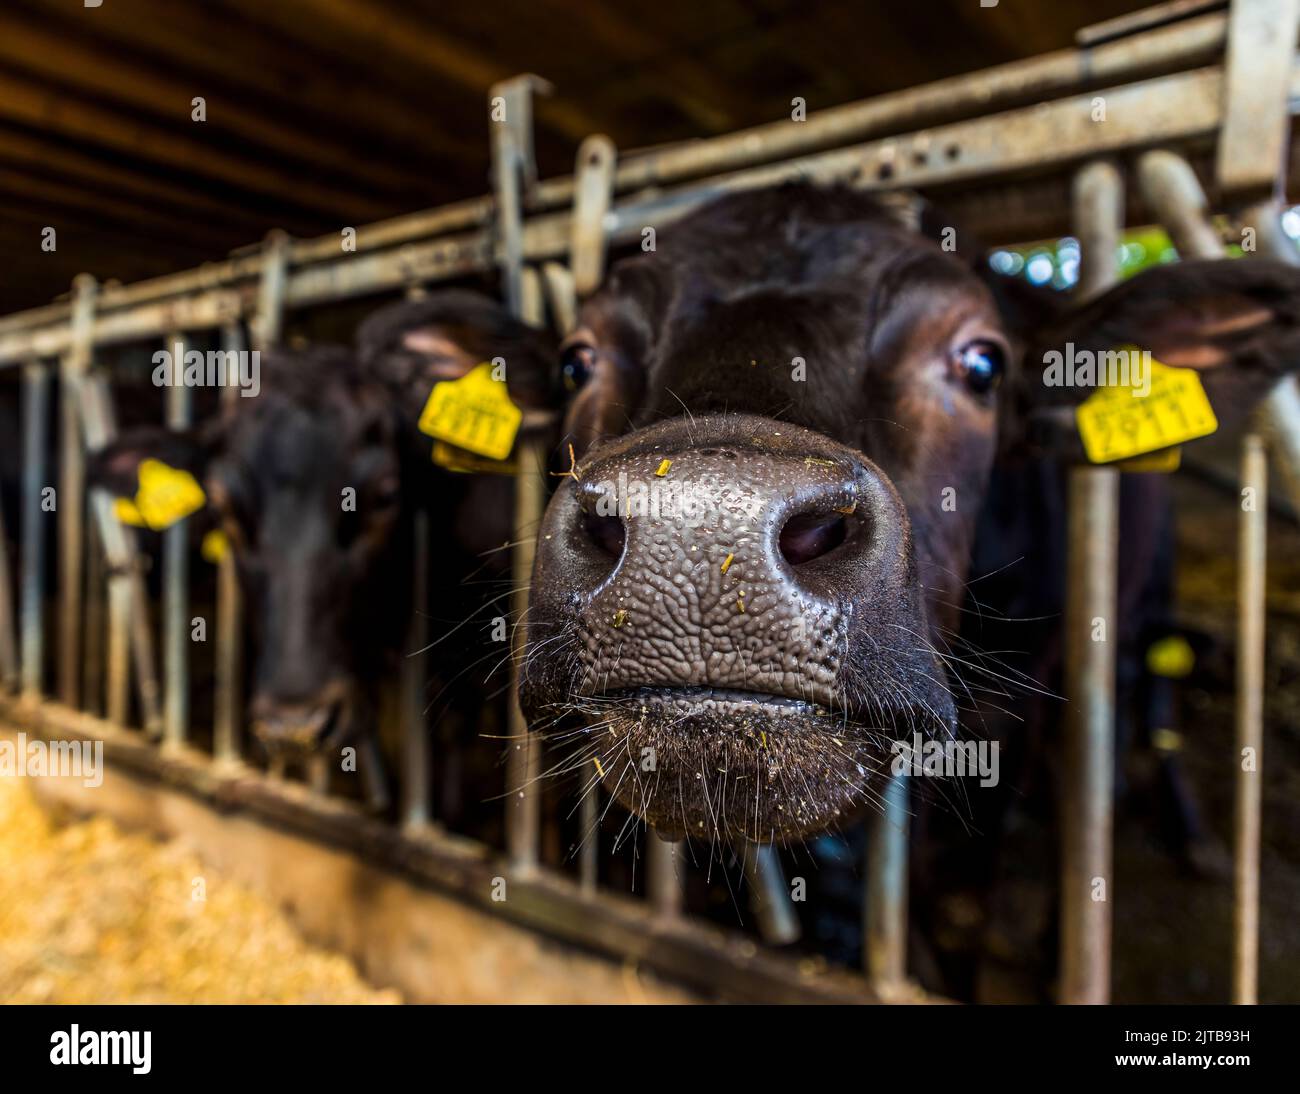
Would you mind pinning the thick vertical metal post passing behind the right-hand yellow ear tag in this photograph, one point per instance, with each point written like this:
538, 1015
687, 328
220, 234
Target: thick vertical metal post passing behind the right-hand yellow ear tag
1090, 662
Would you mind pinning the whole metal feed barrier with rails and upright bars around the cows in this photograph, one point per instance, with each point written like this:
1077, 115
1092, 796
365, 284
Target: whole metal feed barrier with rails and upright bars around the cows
1177, 81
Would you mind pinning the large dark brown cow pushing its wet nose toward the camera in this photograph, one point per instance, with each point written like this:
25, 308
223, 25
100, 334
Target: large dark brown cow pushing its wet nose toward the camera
786, 422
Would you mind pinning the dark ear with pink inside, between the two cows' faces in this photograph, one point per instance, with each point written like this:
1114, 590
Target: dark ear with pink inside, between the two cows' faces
418, 344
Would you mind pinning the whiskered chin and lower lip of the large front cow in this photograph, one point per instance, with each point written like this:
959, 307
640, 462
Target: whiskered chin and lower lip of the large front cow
723, 766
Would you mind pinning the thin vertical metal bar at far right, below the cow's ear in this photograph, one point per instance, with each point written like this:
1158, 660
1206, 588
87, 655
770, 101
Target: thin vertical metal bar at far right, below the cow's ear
1251, 607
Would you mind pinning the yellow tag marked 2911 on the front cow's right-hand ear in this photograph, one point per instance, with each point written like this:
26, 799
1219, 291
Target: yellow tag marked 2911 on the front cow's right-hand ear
1128, 420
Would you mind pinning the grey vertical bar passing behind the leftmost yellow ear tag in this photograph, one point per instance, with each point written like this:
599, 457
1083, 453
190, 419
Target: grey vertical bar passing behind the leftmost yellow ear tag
176, 579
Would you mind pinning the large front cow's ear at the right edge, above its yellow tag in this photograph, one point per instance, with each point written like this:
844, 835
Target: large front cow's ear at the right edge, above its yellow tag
1236, 323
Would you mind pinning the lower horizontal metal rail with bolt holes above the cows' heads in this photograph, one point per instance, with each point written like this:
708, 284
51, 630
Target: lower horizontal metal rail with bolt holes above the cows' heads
1185, 107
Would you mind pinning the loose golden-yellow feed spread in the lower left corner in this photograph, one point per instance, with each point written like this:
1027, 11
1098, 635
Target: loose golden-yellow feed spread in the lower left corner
90, 914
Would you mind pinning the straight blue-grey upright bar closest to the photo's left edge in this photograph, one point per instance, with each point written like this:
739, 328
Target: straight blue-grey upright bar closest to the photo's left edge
36, 441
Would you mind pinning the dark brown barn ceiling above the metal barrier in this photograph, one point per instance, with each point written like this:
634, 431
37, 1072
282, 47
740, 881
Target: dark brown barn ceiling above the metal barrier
323, 114
